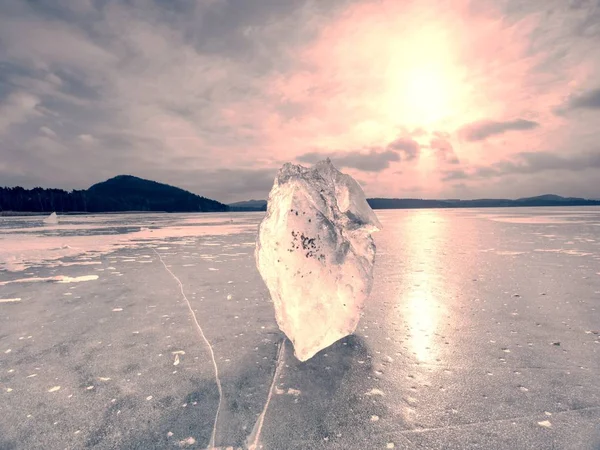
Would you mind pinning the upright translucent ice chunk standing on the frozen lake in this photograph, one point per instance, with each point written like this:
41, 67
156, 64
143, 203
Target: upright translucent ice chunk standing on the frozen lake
315, 253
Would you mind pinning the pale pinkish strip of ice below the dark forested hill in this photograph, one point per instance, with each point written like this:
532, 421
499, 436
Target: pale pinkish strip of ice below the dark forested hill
24, 243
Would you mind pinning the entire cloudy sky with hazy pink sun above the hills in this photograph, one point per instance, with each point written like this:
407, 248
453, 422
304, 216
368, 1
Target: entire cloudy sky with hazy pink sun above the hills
424, 98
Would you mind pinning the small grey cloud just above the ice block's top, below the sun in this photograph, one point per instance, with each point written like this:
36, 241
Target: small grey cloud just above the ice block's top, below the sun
372, 161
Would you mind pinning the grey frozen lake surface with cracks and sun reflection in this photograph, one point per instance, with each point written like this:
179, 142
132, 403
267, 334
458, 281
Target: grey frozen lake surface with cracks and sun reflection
482, 331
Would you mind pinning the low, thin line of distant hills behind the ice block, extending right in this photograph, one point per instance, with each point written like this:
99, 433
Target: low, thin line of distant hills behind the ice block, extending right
415, 203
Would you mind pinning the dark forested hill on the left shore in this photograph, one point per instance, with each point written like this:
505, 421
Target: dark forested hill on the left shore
119, 194
